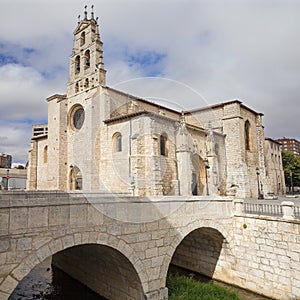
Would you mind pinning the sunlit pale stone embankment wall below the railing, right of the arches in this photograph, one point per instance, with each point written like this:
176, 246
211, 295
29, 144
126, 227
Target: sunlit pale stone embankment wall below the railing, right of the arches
267, 255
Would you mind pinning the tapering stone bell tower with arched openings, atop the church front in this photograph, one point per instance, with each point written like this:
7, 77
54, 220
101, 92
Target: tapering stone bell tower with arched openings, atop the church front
86, 61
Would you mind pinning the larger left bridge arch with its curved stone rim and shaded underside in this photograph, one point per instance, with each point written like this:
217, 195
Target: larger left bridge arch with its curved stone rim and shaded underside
81, 244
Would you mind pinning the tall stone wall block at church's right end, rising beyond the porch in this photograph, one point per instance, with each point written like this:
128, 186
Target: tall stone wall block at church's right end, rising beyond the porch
229, 119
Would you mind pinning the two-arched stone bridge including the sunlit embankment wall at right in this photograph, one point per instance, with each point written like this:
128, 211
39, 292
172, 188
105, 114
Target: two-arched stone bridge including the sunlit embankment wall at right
122, 247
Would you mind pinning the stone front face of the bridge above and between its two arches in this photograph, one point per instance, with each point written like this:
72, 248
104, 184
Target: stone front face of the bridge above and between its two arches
35, 226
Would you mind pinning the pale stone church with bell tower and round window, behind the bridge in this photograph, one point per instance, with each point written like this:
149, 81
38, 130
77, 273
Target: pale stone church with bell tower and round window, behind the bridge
99, 138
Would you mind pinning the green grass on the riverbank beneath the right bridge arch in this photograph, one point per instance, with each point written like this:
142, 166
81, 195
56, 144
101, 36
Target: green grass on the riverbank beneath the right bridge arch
186, 288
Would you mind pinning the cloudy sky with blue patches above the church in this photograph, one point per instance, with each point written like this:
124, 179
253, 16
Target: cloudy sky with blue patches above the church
182, 53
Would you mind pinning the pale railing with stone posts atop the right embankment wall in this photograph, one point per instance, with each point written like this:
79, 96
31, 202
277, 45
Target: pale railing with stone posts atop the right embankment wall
286, 209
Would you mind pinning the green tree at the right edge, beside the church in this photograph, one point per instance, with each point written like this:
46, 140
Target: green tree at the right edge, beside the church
291, 167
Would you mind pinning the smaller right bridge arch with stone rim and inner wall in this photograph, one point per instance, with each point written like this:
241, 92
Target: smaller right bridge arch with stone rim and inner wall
204, 247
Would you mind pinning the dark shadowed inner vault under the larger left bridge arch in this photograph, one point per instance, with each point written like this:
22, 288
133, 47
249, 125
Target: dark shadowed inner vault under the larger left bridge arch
108, 271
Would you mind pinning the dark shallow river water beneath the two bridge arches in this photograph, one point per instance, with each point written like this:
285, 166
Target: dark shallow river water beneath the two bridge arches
46, 282
